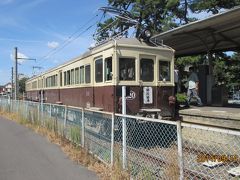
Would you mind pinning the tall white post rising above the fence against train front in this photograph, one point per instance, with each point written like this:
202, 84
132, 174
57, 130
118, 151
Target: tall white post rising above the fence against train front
124, 128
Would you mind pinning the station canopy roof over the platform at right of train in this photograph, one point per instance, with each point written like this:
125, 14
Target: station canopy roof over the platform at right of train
219, 32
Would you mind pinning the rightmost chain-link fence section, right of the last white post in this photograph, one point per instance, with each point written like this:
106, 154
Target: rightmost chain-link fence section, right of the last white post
210, 153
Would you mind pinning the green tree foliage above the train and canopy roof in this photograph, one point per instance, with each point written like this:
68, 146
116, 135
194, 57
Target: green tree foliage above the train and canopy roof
157, 15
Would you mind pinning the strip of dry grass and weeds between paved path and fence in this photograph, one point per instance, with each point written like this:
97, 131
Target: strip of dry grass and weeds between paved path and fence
56, 134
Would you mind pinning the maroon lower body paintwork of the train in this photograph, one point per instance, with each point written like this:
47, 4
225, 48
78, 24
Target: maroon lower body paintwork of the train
103, 97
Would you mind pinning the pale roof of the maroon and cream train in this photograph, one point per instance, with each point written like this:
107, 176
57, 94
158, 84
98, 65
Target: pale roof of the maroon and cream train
124, 42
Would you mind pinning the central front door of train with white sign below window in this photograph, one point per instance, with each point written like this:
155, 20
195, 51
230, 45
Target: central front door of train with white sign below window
147, 90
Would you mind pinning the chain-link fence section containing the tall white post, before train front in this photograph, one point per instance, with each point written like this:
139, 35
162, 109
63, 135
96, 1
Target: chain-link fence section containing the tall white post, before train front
147, 147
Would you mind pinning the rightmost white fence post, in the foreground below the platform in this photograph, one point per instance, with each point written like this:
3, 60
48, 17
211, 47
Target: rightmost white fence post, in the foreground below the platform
180, 152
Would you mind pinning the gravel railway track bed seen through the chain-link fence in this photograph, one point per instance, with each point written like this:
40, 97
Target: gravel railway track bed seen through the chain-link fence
157, 161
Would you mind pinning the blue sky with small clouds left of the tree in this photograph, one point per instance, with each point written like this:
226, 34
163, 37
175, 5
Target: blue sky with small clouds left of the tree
36, 27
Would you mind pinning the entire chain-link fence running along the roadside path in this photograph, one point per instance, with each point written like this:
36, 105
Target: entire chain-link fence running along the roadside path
148, 148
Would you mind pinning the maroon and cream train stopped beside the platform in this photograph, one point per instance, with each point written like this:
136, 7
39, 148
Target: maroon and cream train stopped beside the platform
94, 80
